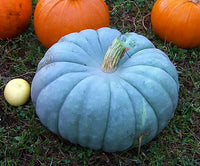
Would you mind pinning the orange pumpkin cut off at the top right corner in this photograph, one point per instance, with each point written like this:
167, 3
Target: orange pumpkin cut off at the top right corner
177, 21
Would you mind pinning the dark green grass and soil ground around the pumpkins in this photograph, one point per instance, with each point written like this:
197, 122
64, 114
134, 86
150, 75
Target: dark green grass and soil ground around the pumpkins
24, 141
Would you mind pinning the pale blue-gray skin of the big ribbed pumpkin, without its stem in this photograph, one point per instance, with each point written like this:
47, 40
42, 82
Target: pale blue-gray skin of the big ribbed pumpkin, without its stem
74, 98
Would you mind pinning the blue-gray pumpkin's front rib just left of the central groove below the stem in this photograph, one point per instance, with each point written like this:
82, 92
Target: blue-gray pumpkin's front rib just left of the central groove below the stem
90, 86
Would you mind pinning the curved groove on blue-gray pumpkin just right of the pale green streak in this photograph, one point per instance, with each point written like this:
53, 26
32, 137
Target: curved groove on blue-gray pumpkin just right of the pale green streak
155, 112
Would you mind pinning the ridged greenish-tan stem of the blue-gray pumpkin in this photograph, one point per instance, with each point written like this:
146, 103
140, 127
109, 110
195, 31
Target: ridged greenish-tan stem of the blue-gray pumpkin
113, 55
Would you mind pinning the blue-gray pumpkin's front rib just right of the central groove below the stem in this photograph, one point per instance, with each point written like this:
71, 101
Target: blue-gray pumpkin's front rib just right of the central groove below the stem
122, 137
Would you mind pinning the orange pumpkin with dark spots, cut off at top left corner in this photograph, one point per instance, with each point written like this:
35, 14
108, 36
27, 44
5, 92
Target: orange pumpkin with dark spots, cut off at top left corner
14, 17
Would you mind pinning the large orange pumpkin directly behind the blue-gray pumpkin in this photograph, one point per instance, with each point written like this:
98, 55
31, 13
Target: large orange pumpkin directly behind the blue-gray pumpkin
56, 18
